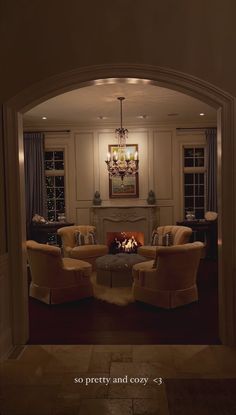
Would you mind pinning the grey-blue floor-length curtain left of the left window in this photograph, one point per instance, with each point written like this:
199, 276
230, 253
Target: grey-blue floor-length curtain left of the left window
34, 177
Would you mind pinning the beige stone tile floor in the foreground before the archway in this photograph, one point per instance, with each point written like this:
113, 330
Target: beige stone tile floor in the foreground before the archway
41, 379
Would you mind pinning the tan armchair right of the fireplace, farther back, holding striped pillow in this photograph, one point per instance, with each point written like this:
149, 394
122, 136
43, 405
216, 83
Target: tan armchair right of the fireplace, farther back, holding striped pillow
181, 235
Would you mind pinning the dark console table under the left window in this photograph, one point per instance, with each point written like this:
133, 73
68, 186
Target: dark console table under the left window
47, 232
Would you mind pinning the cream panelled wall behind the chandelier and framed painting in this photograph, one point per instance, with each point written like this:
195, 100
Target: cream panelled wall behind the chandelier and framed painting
160, 154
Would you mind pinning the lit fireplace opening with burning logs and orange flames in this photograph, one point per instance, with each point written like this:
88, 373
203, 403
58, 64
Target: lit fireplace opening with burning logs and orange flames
124, 242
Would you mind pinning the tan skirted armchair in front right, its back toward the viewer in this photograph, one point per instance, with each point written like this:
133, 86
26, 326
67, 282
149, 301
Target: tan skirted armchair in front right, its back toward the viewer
173, 280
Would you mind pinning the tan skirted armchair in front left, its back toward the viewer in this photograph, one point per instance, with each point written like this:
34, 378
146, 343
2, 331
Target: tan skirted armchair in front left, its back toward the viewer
56, 279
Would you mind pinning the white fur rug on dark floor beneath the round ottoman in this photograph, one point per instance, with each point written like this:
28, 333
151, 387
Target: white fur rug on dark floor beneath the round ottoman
119, 296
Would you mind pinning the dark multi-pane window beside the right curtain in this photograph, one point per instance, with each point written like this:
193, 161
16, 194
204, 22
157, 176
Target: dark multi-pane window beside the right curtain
194, 181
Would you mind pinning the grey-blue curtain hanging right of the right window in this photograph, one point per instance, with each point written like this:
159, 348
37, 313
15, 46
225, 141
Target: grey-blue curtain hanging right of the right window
211, 185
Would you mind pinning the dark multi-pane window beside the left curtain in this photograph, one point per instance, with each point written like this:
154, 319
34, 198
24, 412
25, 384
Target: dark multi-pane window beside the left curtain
55, 186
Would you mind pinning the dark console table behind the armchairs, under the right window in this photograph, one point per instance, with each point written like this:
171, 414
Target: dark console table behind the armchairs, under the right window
206, 230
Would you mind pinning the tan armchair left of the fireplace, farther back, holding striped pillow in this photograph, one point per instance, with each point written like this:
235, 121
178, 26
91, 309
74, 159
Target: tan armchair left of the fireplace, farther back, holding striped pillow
87, 253
